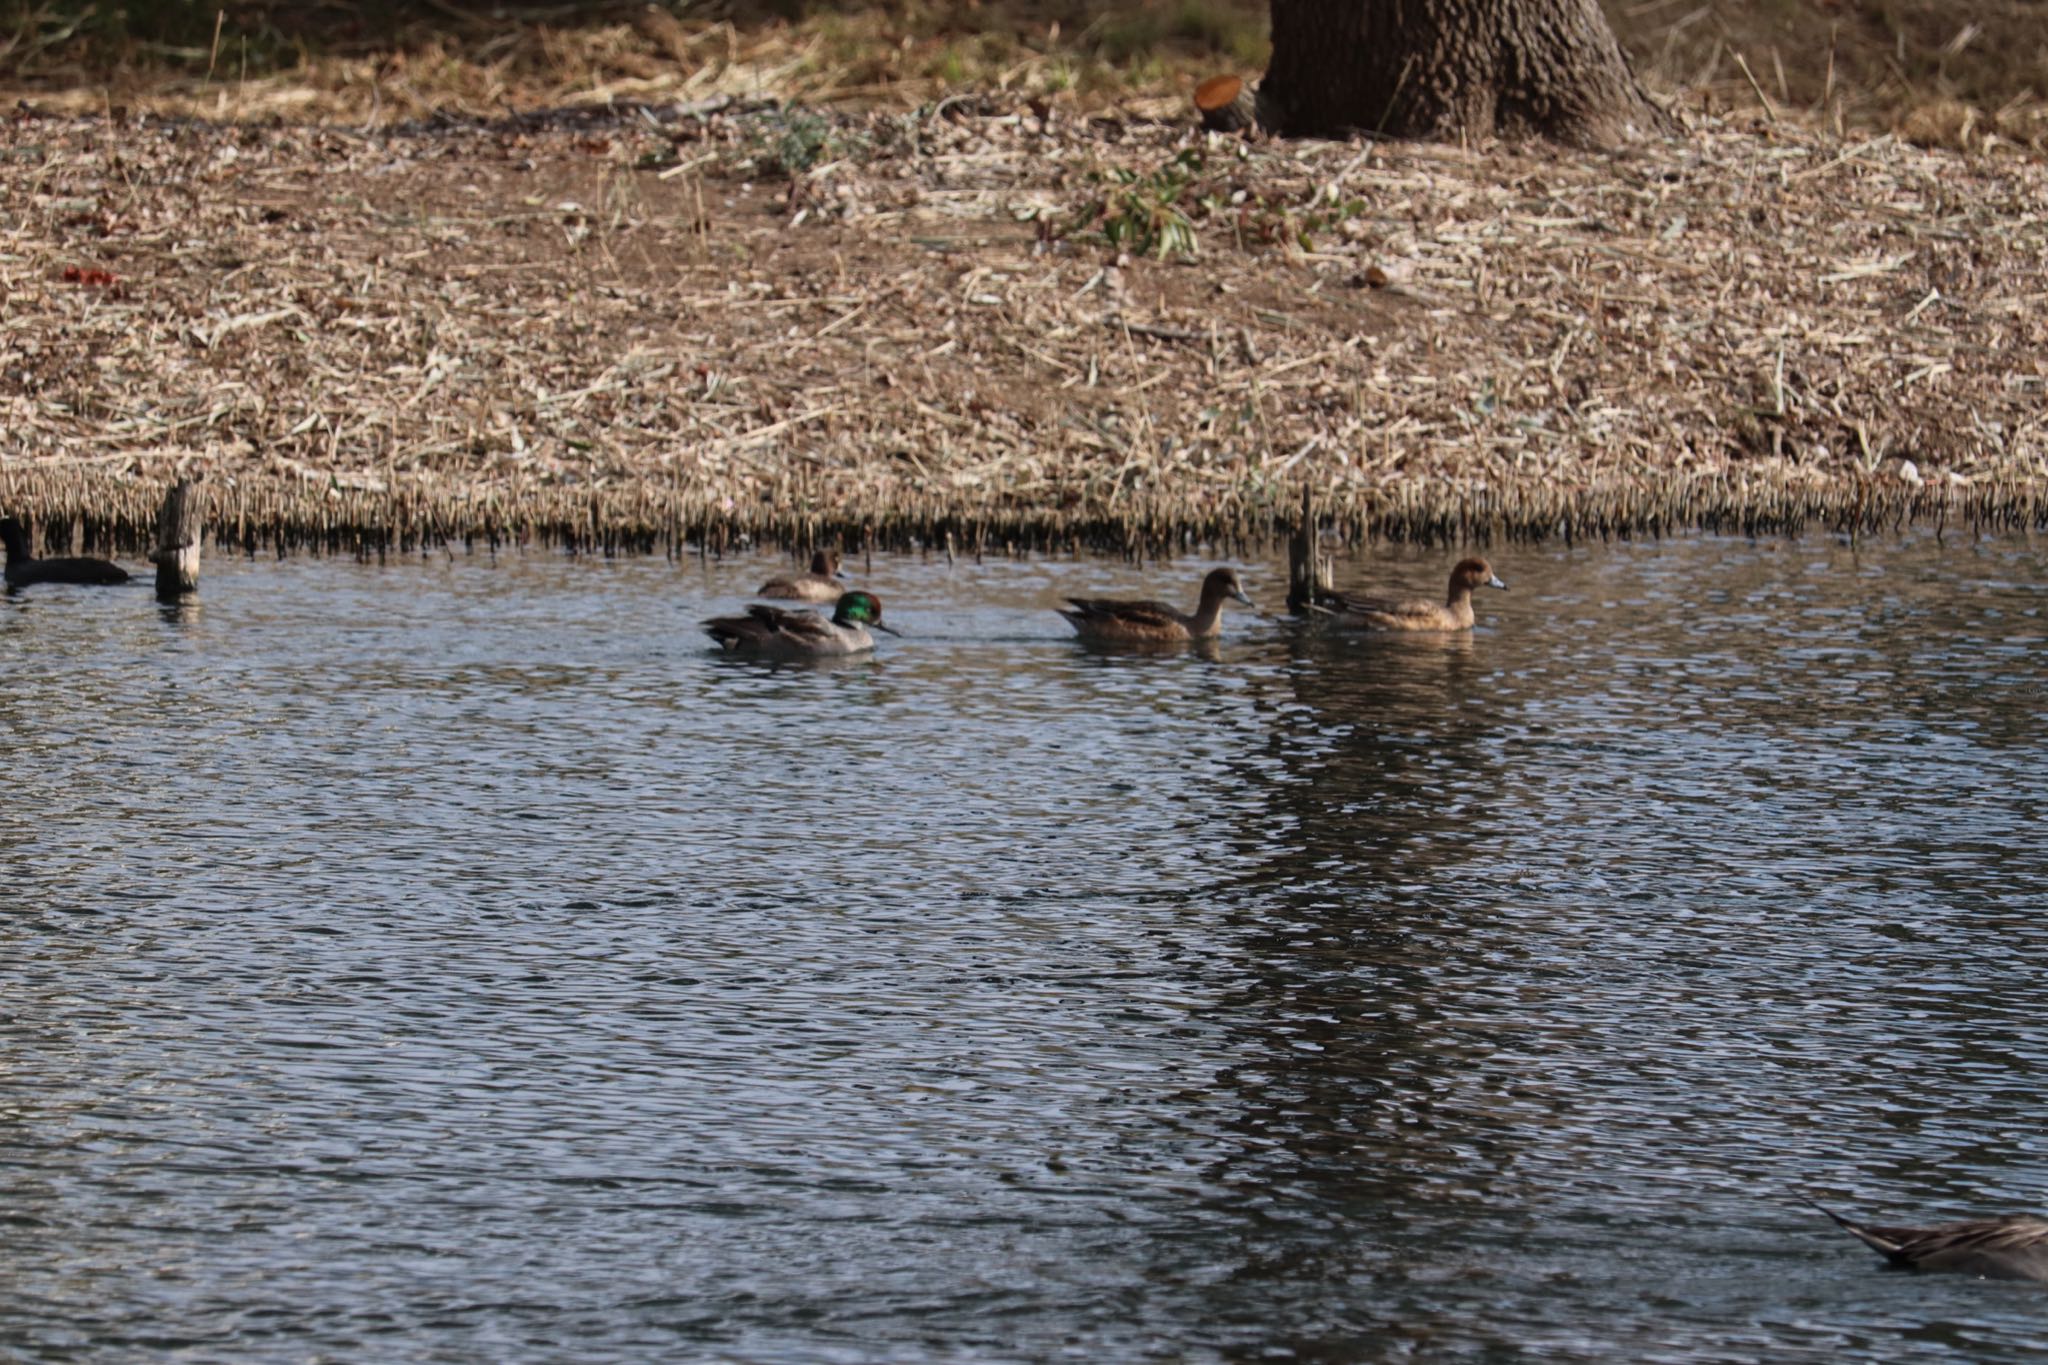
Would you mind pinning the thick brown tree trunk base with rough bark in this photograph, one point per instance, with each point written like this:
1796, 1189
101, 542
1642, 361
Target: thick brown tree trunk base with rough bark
1453, 71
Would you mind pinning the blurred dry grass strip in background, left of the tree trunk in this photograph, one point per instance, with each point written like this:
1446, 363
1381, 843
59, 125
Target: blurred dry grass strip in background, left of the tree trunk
493, 62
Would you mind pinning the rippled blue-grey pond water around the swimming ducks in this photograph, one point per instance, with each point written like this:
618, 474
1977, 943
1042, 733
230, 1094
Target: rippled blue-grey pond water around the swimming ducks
460, 961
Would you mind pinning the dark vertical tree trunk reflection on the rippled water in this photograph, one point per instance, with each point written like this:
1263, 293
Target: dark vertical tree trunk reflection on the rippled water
1349, 1086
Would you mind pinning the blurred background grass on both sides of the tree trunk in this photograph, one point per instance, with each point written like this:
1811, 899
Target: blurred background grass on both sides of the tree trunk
1969, 75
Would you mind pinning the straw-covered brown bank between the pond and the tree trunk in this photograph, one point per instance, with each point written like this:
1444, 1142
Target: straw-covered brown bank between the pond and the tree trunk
632, 328
